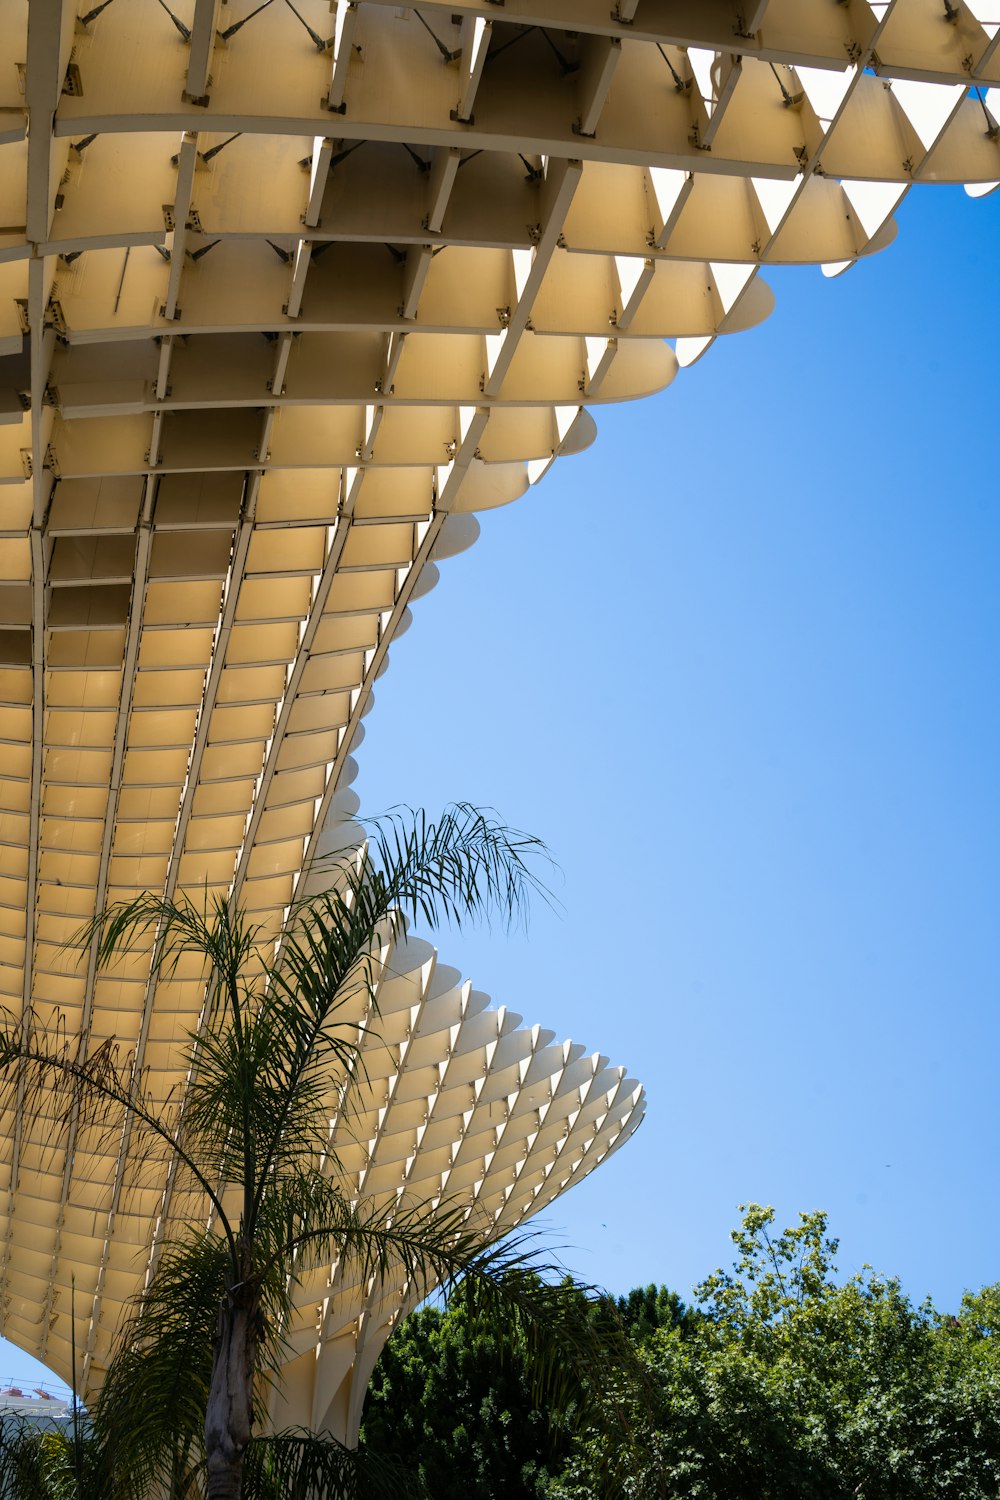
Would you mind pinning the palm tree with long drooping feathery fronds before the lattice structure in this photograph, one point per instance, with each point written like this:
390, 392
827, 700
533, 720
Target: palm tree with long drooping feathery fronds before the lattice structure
250, 1139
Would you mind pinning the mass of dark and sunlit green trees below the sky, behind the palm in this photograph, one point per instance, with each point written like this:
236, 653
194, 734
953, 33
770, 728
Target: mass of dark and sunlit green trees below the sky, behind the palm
782, 1381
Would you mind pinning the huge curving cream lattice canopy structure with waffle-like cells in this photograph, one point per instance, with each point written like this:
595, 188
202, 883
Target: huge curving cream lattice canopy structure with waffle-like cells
290, 293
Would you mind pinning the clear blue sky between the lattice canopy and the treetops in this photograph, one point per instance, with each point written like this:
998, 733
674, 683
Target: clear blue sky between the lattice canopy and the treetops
738, 667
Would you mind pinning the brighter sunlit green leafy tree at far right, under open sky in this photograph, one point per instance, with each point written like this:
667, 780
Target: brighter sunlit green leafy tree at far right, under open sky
795, 1384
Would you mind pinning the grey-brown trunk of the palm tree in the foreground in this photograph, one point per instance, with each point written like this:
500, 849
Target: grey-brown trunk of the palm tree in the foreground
229, 1417
